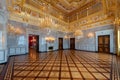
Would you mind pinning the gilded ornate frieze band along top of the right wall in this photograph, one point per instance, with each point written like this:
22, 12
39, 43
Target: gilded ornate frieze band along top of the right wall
96, 19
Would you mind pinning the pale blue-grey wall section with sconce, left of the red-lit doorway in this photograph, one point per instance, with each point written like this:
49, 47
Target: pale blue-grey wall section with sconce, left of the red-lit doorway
15, 45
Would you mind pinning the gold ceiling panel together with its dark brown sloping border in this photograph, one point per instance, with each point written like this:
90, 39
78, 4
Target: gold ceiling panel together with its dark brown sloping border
61, 9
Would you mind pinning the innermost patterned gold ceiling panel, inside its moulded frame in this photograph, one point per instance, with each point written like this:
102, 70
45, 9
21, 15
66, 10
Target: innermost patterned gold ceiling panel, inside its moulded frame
66, 6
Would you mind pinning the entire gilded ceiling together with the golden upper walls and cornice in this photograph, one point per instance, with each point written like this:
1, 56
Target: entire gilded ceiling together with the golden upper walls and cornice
64, 13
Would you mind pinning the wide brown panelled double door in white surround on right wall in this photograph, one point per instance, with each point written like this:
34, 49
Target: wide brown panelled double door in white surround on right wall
104, 44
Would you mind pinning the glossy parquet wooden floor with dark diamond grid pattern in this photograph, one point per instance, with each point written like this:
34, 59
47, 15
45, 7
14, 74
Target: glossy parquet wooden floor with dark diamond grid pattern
60, 65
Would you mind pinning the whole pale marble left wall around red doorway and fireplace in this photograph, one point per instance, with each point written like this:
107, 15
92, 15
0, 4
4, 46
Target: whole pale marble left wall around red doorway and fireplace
15, 49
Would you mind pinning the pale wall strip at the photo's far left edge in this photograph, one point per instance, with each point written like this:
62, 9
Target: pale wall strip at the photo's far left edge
3, 30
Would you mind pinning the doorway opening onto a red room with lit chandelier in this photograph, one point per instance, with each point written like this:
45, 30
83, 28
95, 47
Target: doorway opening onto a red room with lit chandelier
34, 43
